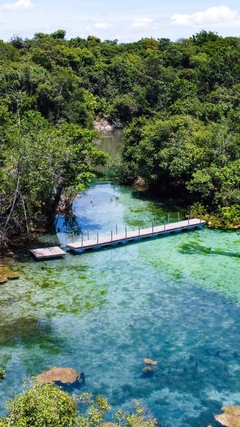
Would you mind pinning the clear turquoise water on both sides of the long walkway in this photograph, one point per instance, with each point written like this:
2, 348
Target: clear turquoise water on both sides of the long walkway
173, 299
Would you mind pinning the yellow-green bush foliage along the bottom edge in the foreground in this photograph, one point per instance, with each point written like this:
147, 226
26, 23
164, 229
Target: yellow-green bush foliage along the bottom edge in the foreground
47, 405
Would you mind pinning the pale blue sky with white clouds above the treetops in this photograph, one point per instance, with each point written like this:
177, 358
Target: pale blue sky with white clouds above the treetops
124, 20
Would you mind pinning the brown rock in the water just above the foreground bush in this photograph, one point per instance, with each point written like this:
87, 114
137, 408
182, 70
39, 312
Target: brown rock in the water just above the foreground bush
61, 375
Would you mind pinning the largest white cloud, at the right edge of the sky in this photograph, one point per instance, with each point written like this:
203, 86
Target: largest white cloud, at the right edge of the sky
221, 15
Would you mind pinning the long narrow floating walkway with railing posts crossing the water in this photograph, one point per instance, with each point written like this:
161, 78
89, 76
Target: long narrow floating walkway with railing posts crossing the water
128, 236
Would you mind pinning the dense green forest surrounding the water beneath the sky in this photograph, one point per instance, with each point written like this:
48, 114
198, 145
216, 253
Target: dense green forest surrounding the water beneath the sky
178, 103
